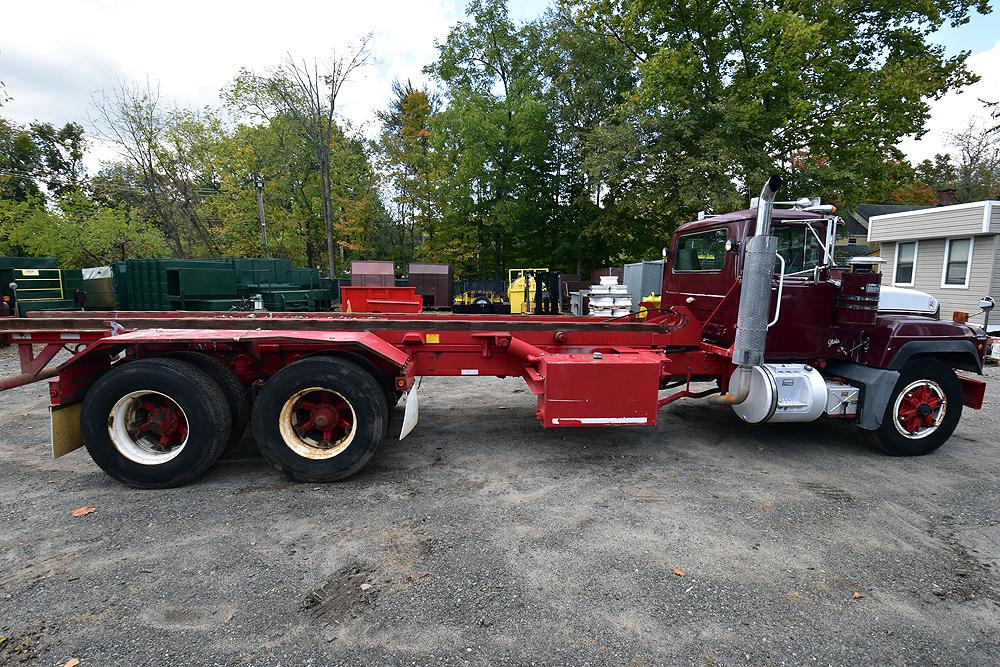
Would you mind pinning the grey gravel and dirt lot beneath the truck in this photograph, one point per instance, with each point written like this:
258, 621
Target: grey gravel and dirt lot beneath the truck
484, 539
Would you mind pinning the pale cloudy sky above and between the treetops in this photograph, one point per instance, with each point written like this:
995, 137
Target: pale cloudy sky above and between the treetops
61, 53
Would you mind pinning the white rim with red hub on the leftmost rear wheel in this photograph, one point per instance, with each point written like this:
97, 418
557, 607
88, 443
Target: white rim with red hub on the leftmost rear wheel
148, 428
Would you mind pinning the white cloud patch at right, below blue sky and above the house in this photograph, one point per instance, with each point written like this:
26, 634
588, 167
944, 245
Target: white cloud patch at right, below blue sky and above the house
954, 111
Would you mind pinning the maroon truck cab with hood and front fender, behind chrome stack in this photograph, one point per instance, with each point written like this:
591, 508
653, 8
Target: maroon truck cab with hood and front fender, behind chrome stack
833, 324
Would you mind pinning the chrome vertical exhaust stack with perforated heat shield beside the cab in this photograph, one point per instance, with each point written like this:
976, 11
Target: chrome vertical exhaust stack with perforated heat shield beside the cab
755, 298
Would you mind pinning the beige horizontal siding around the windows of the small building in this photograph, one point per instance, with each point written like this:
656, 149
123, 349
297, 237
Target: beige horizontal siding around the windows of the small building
930, 265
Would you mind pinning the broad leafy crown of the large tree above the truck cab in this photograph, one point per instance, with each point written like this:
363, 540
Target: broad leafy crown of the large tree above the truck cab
730, 92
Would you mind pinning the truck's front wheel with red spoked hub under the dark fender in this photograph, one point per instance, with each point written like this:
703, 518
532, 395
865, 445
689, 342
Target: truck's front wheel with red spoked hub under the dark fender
922, 411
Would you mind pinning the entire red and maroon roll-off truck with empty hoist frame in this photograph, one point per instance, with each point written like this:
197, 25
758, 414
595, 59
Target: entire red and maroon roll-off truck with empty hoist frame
157, 397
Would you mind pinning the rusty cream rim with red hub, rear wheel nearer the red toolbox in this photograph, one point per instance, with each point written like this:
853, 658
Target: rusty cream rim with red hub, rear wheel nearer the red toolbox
318, 423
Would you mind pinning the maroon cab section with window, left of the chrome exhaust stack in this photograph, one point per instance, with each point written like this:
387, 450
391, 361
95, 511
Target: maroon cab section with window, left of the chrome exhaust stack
701, 270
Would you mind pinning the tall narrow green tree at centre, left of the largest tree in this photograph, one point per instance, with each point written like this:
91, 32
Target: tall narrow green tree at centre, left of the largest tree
494, 143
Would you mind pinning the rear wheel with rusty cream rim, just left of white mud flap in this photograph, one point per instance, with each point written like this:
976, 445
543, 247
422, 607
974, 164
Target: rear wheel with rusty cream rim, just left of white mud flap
320, 419
